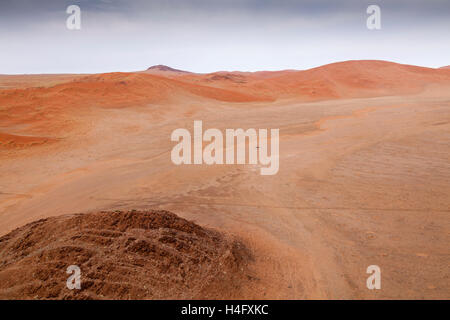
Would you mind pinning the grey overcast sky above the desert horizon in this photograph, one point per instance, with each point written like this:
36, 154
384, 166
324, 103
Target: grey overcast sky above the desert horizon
212, 35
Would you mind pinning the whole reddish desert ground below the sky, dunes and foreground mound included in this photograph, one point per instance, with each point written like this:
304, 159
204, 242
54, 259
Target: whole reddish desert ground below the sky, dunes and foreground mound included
364, 179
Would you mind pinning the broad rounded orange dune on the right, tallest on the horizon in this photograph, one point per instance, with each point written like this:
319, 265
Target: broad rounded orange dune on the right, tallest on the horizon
353, 79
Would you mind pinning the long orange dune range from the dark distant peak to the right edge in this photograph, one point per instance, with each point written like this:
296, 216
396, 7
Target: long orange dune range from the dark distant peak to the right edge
347, 79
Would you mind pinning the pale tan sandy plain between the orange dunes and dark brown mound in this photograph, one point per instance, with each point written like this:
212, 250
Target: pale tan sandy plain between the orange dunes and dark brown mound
369, 186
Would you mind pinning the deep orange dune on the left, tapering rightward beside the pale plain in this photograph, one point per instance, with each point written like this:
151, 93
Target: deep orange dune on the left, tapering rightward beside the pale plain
37, 107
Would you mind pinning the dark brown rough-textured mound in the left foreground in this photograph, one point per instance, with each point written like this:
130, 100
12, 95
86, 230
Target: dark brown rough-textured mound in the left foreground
122, 255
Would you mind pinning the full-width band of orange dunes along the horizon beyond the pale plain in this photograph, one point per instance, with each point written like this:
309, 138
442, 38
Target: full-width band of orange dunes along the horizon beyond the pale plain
164, 85
